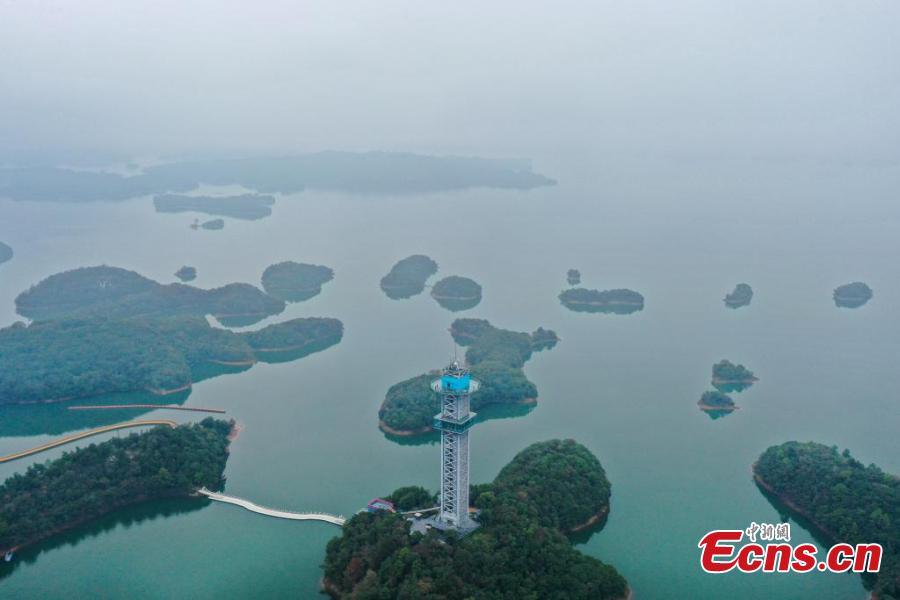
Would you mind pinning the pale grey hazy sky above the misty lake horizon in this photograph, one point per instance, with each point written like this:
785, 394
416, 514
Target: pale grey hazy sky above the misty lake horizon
809, 78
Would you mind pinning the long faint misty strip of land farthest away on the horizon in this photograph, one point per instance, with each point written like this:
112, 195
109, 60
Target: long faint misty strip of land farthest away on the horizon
358, 172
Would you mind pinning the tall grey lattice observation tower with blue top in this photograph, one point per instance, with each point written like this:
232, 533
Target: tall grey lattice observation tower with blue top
455, 386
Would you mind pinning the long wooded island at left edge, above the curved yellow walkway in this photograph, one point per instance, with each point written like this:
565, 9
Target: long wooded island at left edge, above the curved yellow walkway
61, 359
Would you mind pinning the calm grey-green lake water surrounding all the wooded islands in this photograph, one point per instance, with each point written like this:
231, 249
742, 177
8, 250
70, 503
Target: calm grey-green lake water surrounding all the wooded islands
625, 386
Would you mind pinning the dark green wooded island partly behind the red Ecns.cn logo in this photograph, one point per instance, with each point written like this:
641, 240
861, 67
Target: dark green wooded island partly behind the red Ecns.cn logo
845, 500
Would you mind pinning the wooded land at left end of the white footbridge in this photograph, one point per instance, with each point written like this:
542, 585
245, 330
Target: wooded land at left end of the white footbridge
92, 481
